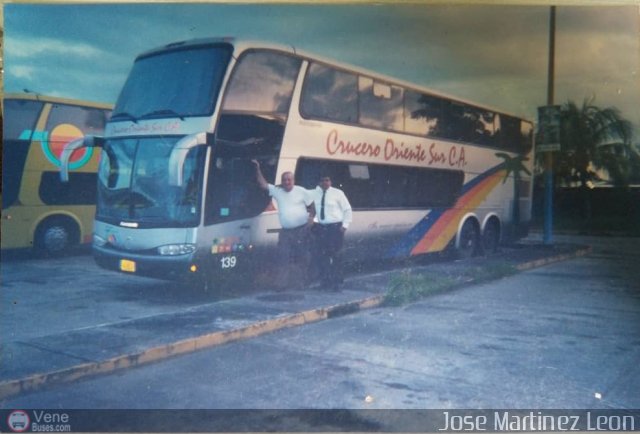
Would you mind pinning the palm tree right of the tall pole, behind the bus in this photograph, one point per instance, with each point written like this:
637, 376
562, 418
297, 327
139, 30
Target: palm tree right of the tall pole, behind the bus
584, 132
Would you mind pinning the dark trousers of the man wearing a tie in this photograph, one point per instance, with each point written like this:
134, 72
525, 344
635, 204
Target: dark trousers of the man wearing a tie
328, 242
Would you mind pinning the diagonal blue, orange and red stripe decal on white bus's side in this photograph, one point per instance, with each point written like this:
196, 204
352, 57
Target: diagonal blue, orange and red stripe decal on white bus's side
440, 226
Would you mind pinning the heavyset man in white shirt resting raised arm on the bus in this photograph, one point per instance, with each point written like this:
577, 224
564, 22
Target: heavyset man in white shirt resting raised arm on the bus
296, 214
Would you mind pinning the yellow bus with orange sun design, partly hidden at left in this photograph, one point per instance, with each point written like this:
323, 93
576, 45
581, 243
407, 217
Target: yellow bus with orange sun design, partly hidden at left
39, 211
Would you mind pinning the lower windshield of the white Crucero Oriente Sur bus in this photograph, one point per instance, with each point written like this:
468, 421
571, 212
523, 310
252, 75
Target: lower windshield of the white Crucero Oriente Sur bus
133, 184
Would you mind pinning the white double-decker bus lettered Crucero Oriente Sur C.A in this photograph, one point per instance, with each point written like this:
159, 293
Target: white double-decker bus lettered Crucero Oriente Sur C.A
177, 192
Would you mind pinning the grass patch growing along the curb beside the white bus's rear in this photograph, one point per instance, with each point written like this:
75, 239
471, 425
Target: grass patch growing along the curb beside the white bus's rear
407, 286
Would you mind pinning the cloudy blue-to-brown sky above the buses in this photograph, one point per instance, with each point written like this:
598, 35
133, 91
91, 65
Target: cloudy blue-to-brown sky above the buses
495, 55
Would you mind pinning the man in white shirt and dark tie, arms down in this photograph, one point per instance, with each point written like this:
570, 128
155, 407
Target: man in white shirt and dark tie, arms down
334, 215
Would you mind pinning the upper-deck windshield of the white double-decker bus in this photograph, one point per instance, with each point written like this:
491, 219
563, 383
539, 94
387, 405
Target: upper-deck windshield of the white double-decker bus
177, 83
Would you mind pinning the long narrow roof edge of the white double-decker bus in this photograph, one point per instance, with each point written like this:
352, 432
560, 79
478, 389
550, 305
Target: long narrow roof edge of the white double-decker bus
247, 44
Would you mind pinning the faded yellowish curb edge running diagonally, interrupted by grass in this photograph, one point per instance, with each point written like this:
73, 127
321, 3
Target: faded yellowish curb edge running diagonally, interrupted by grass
33, 382
